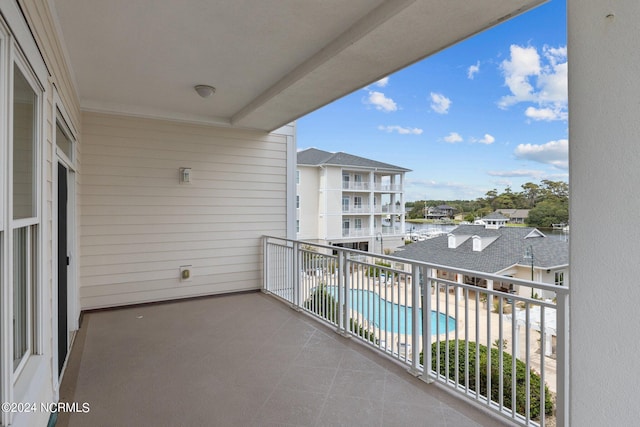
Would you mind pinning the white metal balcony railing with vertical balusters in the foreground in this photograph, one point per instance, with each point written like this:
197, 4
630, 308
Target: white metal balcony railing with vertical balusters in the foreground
375, 301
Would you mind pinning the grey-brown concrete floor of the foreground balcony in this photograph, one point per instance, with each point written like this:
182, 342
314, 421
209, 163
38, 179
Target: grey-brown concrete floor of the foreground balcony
241, 360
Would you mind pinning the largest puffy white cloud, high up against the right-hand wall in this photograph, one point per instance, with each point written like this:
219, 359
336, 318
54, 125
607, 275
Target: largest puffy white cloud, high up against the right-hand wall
537, 79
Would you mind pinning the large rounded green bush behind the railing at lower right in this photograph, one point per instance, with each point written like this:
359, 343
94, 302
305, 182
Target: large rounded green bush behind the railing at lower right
521, 373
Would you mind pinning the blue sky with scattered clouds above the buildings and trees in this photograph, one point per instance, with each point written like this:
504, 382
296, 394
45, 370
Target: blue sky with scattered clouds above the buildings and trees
489, 112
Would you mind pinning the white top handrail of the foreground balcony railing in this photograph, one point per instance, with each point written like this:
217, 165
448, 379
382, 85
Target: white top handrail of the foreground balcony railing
558, 289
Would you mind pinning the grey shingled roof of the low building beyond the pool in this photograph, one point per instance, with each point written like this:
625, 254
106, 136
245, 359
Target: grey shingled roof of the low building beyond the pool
507, 250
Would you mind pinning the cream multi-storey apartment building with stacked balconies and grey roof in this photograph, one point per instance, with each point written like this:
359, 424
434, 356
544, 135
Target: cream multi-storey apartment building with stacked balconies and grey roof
349, 201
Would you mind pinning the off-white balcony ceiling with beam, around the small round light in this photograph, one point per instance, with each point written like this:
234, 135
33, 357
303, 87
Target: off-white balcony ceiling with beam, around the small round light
271, 61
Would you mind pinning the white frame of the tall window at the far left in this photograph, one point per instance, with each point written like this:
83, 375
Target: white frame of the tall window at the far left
17, 45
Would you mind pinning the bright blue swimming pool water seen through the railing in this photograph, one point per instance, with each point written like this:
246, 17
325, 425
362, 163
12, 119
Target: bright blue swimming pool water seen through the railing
390, 316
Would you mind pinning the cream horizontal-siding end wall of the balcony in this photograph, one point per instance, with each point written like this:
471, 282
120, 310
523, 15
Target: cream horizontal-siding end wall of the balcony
139, 224
